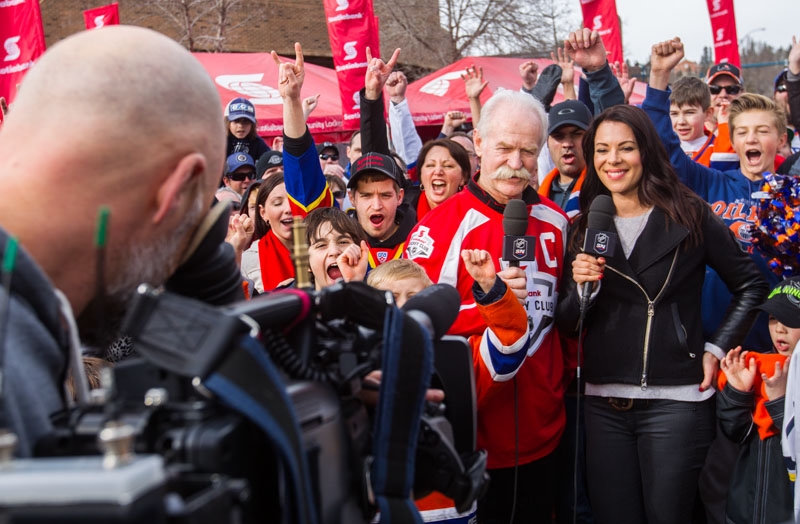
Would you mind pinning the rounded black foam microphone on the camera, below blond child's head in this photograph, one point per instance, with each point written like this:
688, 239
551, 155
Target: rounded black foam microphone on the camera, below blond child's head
435, 308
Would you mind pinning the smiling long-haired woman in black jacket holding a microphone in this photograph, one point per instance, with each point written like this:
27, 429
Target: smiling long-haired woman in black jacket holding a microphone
650, 413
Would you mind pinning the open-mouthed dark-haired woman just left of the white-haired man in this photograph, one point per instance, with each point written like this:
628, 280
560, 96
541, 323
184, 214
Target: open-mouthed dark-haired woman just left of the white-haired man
444, 169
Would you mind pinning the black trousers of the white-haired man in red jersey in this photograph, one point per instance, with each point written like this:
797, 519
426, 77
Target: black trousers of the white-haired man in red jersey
535, 491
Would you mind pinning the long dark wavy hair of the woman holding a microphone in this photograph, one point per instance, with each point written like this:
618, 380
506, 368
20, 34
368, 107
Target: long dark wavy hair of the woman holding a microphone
659, 186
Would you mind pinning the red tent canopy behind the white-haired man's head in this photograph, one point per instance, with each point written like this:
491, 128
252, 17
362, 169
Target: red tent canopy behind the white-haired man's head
430, 97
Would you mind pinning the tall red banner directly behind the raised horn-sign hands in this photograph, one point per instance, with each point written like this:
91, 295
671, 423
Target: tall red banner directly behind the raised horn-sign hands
351, 29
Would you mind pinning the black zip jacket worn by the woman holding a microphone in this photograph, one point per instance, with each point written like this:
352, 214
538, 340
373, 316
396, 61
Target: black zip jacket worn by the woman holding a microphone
645, 325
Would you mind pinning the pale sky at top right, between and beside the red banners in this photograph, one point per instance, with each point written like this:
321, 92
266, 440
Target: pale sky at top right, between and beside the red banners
645, 22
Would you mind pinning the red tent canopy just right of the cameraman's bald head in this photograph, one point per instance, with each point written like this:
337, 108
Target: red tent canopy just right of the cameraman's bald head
255, 76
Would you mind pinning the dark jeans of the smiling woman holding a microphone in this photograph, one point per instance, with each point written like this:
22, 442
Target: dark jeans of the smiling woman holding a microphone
643, 464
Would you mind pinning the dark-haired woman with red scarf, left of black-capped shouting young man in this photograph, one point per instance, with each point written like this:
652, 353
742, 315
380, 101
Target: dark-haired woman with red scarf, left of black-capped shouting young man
268, 261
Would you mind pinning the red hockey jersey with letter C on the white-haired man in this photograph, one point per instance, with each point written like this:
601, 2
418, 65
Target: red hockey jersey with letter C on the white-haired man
471, 219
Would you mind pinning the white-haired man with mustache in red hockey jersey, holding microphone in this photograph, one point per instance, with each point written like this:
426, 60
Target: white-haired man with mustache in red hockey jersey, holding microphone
525, 394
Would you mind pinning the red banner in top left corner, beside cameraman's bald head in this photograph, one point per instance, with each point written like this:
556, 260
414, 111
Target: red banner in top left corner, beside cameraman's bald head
22, 42
